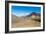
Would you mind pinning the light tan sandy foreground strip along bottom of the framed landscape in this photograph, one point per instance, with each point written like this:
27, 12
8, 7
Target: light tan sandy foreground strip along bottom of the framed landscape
26, 23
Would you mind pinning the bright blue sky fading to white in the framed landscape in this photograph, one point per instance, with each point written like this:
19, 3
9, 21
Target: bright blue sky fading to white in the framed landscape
24, 10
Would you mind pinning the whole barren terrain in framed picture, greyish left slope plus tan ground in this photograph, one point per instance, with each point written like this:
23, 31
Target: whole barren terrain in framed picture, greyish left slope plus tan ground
24, 22
